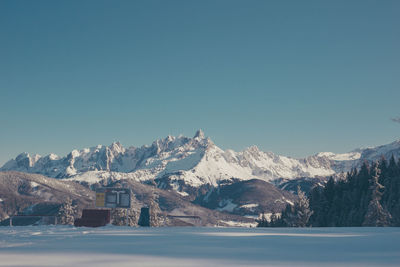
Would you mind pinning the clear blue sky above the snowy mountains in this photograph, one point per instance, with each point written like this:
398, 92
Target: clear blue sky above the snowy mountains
292, 77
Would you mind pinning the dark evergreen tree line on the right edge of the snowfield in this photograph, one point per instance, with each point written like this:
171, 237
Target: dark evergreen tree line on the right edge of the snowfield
369, 196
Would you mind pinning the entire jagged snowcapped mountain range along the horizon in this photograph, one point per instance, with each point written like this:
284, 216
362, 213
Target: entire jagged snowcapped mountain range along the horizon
193, 161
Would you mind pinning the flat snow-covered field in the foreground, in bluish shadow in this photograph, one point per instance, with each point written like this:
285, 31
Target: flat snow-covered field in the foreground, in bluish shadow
122, 246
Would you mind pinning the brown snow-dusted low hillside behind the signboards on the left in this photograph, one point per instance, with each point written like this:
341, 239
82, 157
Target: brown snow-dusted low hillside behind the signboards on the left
25, 193
